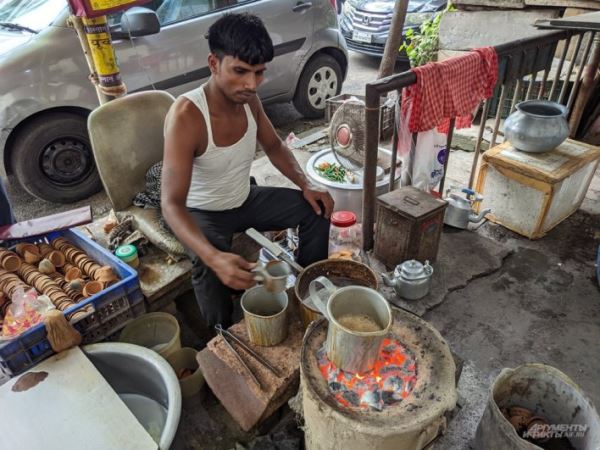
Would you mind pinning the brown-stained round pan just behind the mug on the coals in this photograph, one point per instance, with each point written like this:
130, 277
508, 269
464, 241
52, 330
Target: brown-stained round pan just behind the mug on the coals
341, 272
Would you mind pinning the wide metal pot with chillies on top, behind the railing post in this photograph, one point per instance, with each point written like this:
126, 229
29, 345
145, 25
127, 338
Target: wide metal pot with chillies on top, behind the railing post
347, 195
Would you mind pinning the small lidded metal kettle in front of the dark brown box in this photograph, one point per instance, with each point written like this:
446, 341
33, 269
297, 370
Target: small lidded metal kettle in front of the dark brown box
411, 279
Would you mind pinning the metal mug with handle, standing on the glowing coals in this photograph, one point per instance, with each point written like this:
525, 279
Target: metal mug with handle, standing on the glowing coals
350, 350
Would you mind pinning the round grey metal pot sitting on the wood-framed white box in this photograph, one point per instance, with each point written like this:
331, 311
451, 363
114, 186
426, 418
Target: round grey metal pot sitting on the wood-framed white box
537, 126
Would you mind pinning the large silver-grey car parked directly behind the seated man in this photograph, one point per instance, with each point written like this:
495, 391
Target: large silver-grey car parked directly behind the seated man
45, 94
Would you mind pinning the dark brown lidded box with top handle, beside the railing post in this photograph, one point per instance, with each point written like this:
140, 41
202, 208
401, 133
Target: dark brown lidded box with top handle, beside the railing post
409, 225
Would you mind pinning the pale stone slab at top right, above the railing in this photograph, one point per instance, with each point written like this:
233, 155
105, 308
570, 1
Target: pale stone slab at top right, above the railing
464, 30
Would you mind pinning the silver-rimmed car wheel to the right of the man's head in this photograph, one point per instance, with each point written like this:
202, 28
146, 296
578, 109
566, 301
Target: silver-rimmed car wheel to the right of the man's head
321, 79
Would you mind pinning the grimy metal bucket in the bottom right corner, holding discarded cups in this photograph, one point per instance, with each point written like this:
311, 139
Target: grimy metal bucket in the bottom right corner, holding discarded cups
547, 393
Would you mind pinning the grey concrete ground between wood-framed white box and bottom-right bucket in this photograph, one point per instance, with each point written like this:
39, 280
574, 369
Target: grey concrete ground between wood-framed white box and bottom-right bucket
541, 305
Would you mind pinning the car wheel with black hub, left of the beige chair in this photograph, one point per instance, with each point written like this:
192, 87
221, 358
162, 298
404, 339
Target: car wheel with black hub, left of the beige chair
52, 158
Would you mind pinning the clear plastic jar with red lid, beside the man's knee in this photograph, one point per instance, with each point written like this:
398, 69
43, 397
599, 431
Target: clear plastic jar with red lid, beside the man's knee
345, 235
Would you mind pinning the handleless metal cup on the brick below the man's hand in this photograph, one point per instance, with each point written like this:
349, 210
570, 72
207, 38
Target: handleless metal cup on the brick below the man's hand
265, 314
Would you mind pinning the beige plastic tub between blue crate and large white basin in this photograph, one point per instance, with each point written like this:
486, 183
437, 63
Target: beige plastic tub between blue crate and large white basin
157, 331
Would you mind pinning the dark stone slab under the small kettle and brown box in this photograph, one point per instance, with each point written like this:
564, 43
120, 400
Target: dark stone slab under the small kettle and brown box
463, 257
